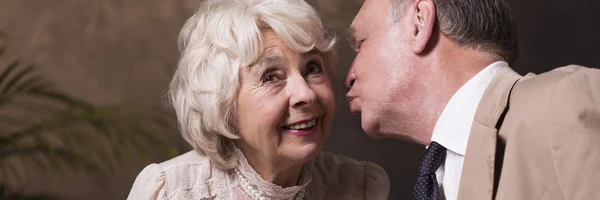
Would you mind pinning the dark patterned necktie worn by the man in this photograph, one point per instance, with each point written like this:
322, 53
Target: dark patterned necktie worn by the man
427, 187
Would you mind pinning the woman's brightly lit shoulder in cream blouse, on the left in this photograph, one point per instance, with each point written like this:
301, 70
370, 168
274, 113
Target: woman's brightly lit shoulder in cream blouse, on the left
179, 175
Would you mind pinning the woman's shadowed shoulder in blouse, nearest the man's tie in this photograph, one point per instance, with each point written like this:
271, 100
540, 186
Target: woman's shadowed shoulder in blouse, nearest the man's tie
341, 175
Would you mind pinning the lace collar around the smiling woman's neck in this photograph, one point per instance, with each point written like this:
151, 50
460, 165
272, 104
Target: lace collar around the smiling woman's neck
269, 188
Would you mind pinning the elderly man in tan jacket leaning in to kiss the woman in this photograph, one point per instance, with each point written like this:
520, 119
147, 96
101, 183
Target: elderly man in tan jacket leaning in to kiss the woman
443, 77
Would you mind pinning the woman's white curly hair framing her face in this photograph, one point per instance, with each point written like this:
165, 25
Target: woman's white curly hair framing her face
219, 39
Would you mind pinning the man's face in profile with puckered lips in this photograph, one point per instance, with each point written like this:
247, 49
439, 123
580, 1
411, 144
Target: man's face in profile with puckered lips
381, 81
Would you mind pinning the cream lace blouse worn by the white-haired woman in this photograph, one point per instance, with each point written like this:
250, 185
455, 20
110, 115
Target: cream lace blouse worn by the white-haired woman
191, 176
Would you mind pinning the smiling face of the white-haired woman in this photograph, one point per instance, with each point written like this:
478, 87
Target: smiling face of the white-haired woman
285, 105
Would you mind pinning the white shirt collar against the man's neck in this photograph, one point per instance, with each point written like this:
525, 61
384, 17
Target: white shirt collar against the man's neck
454, 125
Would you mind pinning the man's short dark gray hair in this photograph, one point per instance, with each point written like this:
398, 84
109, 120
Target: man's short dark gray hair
486, 25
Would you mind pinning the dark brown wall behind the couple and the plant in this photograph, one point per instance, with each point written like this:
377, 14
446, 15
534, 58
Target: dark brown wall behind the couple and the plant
114, 51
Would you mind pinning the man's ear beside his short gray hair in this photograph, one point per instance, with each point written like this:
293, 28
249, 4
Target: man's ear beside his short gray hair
422, 21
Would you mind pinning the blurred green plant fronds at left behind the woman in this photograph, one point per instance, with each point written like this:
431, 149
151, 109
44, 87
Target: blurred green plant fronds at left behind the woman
45, 129
